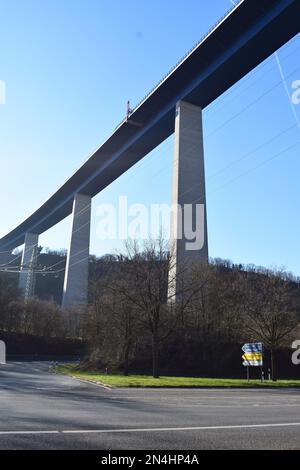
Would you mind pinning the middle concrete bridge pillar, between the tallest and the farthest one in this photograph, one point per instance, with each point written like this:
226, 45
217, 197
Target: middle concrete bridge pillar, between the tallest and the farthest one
77, 266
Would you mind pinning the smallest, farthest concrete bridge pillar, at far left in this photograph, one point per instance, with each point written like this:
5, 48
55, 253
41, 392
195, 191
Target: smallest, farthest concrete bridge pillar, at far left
28, 263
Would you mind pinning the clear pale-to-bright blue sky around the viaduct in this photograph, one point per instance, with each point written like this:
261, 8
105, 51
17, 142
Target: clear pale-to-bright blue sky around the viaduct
69, 68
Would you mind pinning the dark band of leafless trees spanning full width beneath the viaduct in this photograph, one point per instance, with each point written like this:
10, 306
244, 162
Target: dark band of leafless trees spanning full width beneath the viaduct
133, 319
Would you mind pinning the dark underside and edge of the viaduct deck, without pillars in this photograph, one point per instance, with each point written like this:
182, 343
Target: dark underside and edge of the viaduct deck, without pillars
246, 37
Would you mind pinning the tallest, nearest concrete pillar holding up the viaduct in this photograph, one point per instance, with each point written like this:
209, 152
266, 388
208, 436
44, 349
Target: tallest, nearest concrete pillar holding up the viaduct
189, 223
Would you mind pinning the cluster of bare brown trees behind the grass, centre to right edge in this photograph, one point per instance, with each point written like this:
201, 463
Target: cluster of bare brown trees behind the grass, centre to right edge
132, 311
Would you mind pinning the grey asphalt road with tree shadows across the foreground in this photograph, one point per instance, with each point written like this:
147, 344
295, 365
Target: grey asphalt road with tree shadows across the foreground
41, 410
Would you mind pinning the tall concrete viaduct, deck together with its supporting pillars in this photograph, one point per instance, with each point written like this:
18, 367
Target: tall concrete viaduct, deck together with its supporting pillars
247, 35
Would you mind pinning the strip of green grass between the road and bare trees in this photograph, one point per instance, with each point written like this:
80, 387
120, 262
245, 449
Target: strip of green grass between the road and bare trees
148, 381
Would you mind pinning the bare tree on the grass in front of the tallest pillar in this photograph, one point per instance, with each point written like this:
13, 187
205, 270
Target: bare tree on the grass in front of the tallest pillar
144, 281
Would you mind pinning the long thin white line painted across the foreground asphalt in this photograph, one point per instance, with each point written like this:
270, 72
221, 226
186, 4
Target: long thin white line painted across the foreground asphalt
145, 430
